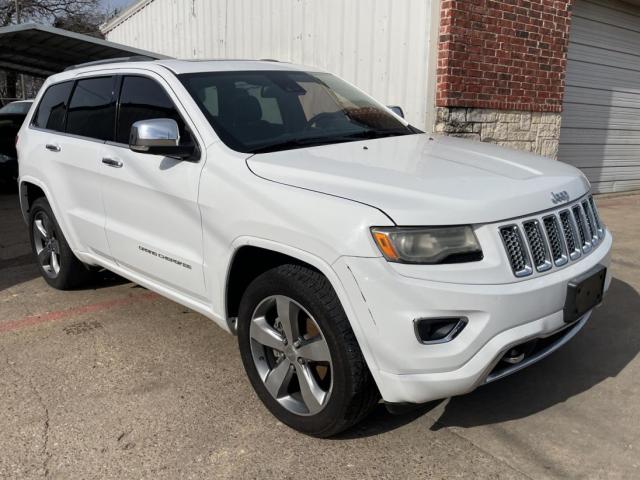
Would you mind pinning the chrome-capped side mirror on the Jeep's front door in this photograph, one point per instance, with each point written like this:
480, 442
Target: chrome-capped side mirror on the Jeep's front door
158, 136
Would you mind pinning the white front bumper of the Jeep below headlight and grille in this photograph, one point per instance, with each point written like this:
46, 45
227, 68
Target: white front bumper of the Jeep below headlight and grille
499, 317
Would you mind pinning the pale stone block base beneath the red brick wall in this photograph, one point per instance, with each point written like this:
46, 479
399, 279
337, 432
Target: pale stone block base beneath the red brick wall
537, 132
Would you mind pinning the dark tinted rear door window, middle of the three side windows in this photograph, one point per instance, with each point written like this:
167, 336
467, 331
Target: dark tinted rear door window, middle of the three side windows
92, 109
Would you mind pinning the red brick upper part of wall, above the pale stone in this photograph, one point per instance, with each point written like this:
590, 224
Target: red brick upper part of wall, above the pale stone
507, 54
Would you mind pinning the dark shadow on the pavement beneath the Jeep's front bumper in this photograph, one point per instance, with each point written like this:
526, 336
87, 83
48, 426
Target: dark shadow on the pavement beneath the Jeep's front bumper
607, 344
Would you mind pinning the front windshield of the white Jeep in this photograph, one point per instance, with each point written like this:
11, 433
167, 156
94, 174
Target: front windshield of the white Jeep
266, 111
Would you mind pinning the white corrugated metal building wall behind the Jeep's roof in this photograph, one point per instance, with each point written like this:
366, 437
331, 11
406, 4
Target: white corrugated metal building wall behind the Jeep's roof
382, 46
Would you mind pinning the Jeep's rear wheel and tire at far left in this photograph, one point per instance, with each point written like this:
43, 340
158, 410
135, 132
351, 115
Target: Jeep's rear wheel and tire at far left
57, 263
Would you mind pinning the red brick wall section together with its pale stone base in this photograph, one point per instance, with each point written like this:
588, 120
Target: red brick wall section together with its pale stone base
501, 70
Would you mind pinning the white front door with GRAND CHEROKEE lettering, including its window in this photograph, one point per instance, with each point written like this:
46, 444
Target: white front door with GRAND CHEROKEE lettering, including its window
152, 216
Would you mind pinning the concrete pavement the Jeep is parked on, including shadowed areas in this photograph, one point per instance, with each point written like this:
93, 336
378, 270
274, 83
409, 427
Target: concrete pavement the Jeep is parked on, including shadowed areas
116, 382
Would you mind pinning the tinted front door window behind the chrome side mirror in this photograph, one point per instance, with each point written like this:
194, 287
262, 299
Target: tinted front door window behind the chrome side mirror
143, 99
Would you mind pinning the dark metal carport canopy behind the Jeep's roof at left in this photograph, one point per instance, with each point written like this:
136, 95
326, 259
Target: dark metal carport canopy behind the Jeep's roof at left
41, 51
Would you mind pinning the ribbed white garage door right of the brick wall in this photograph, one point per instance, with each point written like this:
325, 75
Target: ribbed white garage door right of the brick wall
601, 120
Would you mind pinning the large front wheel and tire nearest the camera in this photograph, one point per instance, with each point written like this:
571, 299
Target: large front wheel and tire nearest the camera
300, 353
